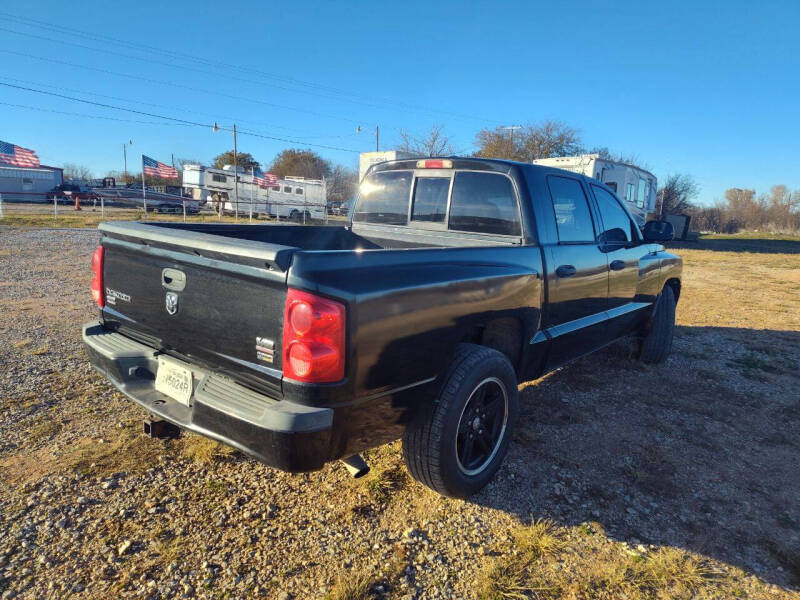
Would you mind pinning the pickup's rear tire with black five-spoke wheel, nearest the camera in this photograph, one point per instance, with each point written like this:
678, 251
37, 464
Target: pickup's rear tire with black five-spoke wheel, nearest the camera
456, 444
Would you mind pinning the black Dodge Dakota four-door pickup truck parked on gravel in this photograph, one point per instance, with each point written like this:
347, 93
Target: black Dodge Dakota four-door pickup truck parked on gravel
454, 280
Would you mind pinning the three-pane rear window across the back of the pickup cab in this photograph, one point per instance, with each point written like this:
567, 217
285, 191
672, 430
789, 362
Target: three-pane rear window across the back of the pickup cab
469, 201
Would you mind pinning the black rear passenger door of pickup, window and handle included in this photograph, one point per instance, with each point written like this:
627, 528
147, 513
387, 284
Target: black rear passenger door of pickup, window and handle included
577, 275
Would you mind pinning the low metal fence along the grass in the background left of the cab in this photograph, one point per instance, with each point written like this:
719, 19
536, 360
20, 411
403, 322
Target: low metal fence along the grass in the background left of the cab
64, 212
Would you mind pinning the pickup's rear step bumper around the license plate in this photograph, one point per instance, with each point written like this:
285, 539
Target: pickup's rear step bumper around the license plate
282, 434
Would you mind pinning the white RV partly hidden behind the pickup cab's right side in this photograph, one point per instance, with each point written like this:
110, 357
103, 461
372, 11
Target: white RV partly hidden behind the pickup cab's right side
636, 186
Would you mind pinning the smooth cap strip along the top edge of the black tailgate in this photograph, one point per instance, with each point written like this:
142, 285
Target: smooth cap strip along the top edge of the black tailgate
274, 254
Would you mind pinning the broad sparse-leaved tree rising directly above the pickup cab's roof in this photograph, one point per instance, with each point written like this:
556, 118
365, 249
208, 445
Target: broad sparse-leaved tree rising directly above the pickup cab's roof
539, 140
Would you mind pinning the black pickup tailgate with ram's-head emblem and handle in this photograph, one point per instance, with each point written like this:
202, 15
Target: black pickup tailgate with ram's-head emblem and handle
212, 300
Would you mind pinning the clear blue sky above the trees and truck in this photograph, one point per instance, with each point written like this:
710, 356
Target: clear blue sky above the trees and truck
711, 89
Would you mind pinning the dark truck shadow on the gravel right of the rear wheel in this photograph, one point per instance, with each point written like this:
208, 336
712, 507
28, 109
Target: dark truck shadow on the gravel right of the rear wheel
699, 453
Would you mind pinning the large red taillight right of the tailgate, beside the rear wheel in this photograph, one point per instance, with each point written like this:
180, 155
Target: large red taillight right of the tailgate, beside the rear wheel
313, 338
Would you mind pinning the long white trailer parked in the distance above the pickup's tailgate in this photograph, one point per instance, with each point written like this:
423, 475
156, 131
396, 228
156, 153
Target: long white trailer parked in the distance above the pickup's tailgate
290, 198
